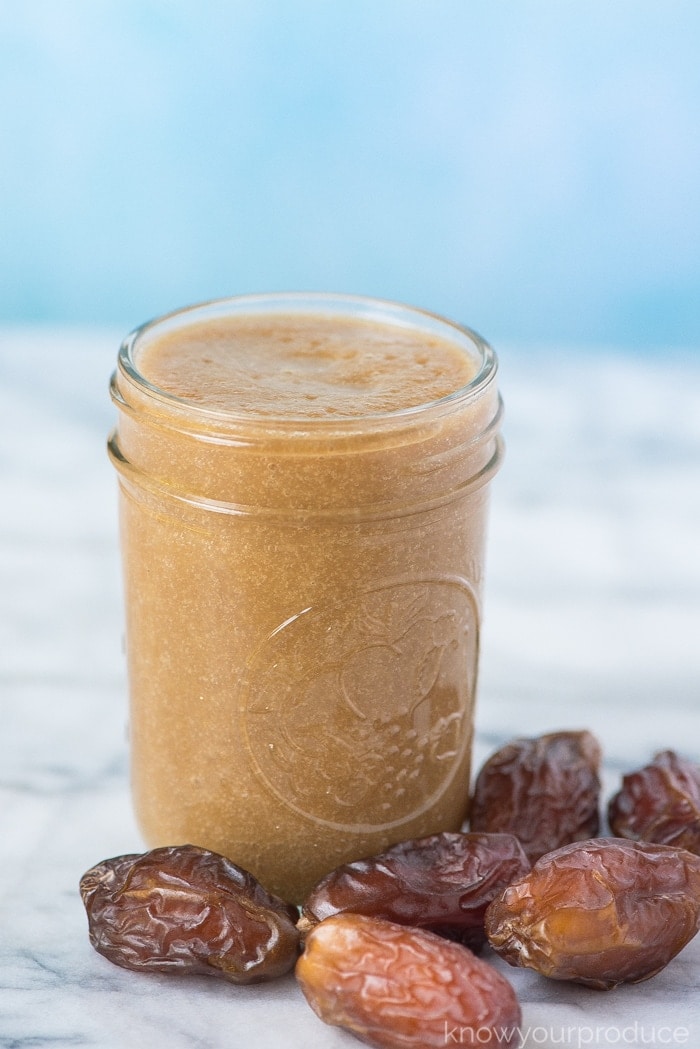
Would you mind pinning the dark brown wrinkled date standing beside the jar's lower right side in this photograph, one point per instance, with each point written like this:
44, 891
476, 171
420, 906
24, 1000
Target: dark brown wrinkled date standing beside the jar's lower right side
546, 790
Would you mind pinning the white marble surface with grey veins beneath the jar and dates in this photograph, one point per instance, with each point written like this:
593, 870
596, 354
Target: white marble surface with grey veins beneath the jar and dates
592, 620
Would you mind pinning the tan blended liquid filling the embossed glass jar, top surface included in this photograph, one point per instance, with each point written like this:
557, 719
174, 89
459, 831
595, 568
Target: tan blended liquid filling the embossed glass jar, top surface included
303, 550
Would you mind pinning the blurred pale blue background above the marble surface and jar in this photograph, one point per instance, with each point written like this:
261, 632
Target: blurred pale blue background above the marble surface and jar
529, 168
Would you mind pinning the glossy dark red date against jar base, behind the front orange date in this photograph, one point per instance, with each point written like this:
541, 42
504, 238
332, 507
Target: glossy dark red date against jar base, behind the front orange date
443, 883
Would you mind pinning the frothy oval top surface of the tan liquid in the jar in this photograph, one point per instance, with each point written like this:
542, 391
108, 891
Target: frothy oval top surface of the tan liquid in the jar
304, 368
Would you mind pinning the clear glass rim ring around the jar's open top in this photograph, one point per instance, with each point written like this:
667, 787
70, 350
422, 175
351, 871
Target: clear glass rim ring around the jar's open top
383, 311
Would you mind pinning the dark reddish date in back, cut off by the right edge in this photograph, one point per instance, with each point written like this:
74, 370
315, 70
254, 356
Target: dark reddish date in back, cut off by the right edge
660, 803
